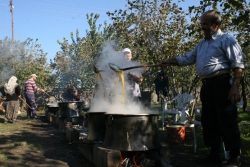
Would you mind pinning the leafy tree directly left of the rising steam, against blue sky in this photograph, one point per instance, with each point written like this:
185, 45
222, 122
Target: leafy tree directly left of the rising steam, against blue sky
73, 65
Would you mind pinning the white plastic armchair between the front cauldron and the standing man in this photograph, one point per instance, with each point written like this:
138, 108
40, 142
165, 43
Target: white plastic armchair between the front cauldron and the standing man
183, 100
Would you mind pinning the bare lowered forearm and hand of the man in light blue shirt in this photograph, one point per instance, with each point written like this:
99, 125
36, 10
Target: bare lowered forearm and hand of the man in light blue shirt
234, 93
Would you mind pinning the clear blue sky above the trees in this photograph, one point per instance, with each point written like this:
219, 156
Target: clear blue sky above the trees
52, 20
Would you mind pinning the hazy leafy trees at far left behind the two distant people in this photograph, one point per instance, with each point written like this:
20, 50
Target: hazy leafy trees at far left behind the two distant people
23, 59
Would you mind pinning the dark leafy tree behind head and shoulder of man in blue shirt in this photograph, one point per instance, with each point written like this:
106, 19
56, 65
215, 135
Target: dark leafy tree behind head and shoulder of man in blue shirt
236, 18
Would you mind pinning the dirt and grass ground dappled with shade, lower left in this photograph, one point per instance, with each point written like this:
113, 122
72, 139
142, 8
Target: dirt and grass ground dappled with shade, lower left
35, 143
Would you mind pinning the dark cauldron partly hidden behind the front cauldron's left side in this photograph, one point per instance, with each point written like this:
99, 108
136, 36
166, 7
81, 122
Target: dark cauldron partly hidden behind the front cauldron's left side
96, 126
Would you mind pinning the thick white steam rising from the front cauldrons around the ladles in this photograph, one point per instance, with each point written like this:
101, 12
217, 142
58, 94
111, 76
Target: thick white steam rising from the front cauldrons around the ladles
109, 95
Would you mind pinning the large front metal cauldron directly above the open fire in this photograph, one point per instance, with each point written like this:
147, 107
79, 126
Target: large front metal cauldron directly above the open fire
138, 132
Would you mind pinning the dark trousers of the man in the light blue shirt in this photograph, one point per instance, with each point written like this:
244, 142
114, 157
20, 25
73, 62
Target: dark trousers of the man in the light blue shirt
219, 116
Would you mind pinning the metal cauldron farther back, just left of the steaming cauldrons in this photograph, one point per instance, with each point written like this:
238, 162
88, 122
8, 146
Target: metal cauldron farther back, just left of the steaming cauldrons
70, 109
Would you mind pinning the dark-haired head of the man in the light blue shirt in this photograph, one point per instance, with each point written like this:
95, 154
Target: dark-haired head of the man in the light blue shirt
210, 23
